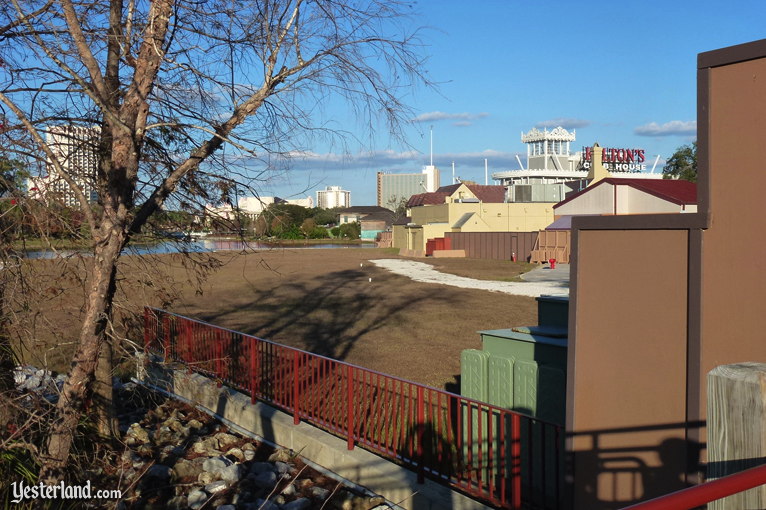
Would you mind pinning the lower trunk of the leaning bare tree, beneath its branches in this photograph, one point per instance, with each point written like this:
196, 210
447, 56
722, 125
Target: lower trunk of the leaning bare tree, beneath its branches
79, 381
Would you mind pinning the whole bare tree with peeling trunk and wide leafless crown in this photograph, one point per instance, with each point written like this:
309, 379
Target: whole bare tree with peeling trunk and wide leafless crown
165, 86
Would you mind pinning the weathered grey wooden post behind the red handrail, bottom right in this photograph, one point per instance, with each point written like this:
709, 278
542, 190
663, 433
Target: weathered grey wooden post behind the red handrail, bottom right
736, 421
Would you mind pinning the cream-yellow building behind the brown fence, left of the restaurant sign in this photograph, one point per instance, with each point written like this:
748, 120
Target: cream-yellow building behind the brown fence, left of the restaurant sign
466, 208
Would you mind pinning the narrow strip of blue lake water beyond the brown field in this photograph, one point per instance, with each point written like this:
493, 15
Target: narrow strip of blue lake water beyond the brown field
200, 245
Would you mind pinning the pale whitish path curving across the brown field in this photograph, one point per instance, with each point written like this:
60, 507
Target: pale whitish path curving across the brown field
421, 272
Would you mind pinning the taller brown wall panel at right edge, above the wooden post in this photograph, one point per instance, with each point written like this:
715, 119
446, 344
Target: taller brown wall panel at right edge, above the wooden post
733, 301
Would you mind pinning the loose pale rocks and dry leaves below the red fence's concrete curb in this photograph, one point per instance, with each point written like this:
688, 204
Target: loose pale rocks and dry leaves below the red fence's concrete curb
177, 457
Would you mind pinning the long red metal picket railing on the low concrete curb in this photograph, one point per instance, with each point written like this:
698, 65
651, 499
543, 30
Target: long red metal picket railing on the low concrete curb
488, 452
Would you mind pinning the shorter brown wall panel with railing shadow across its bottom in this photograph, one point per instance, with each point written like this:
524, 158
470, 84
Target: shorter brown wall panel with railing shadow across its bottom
626, 374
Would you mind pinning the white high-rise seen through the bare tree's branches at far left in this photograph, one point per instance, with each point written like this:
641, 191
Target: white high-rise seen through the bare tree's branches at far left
76, 149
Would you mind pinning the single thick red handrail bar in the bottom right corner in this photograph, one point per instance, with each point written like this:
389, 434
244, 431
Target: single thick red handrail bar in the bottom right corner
703, 494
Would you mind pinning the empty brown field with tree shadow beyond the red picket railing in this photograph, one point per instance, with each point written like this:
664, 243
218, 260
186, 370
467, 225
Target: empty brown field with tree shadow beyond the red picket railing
322, 300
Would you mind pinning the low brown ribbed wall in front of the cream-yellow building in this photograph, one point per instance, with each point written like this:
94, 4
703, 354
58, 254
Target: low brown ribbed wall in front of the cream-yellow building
494, 245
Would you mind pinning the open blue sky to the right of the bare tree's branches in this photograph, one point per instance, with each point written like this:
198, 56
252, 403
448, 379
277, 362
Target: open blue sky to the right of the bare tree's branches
620, 73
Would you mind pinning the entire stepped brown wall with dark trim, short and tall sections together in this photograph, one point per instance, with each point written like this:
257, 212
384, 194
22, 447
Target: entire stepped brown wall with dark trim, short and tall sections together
697, 305
